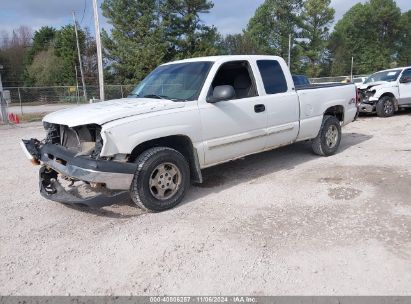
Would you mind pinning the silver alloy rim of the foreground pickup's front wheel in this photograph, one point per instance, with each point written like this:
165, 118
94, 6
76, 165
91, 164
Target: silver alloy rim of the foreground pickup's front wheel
165, 180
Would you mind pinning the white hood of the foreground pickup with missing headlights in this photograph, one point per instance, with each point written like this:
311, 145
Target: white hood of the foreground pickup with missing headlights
103, 112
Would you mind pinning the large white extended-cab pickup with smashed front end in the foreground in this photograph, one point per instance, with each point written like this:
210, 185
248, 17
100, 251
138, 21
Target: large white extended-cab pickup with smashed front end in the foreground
183, 117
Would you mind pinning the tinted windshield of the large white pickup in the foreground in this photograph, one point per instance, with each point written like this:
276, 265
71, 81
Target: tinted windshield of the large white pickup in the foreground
177, 82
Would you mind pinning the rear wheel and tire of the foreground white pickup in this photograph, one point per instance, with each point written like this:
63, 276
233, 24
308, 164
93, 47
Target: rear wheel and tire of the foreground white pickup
328, 139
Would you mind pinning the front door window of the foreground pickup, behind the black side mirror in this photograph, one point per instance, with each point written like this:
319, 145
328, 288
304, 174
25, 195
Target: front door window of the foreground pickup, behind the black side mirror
239, 75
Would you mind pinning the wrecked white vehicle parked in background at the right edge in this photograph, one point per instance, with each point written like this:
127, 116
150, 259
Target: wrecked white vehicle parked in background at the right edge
386, 92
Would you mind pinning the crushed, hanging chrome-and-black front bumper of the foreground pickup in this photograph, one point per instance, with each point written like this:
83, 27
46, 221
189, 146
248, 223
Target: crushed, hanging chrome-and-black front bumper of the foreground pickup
56, 160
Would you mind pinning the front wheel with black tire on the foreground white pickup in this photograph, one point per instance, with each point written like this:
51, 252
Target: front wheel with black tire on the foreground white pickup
161, 179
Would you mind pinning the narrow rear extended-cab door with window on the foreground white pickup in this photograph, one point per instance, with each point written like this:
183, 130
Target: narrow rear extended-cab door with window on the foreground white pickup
281, 102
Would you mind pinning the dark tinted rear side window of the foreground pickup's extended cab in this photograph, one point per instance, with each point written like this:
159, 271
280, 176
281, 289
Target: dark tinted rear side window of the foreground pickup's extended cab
273, 77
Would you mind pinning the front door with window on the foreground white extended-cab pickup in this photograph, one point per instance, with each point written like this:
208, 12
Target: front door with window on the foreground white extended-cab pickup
233, 128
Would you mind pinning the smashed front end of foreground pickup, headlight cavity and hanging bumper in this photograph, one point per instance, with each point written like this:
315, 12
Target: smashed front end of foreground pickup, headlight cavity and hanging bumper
72, 156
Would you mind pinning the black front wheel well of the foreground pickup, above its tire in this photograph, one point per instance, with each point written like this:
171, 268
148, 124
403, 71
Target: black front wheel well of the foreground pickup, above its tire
182, 144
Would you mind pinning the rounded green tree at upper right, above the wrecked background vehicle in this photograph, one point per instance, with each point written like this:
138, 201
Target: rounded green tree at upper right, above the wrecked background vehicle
369, 33
